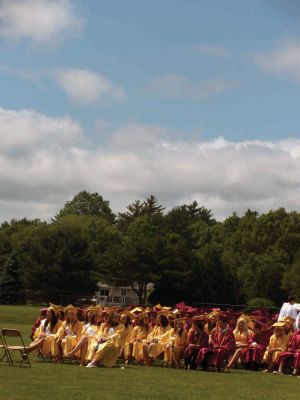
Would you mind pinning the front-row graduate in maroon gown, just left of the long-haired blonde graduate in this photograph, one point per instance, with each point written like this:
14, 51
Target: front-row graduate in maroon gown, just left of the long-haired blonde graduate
221, 346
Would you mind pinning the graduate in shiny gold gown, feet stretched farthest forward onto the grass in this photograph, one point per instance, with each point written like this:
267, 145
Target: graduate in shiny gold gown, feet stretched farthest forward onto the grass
110, 343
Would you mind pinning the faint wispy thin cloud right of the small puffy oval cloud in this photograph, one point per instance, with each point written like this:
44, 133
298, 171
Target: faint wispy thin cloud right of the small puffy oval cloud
178, 86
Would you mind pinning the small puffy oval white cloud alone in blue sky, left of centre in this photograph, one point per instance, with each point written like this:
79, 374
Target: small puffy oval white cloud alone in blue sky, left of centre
86, 87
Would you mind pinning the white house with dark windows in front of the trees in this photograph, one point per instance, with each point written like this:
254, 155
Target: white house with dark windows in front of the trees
123, 295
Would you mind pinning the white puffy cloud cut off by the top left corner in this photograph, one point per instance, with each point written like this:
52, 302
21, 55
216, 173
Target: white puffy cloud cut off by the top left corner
41, 21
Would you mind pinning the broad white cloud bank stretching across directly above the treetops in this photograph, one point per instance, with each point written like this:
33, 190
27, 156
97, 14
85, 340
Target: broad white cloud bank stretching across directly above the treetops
45, 161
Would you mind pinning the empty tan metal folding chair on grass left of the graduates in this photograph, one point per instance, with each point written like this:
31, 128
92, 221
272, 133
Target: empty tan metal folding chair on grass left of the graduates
14, 349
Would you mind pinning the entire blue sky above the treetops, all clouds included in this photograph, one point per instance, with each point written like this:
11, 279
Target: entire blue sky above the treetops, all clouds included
131, 79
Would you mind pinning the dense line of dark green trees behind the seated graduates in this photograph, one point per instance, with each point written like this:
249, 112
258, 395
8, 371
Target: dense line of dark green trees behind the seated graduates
188, 255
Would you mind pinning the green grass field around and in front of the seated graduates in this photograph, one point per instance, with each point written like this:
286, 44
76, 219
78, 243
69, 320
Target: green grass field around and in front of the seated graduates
65, 381
